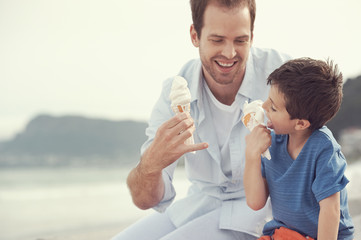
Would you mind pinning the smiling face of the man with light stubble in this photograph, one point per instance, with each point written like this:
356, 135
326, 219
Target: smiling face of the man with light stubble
224, 45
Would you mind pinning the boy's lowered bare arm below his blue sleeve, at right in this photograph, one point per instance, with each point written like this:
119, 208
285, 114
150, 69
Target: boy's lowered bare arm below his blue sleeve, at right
329, 218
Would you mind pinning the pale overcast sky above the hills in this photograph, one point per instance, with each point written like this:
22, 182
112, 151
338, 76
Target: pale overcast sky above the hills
108, 59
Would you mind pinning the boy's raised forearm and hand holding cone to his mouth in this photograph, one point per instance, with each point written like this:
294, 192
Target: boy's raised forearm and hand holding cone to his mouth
255, 185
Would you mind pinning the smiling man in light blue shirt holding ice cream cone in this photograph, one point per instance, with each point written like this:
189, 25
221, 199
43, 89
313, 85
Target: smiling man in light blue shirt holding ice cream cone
230, 71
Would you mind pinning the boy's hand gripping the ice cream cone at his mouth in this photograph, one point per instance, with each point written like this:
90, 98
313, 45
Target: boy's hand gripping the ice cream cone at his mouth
258, 141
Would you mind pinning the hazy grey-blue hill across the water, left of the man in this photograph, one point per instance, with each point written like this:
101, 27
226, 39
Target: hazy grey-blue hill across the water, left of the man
60, 140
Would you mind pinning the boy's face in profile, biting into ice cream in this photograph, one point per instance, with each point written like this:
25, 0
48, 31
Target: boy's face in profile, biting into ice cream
278, 118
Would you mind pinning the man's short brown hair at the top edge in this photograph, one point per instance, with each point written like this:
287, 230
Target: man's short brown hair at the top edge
198, 8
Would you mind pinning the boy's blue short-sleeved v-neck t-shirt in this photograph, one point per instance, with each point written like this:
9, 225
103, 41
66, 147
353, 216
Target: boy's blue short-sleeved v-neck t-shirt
297, 186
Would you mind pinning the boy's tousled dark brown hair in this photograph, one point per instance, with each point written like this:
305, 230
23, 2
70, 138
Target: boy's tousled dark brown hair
312, 89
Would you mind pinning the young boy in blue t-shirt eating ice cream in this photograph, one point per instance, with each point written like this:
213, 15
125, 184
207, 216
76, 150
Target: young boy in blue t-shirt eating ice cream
305, 176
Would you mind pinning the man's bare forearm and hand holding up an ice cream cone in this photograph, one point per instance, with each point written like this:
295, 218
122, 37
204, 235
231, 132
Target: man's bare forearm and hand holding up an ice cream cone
145, 181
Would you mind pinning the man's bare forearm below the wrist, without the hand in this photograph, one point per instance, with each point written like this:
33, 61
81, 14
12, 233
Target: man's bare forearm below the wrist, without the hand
147, 189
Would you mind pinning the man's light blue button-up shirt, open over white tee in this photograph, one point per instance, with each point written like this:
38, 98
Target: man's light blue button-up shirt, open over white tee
211, 189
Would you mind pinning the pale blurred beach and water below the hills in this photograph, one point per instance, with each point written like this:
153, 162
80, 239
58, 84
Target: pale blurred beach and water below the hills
90, 204
